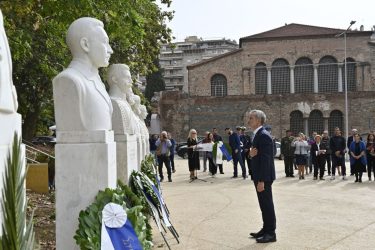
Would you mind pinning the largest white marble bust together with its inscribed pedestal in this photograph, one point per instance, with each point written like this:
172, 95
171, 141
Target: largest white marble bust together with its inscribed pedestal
85, 149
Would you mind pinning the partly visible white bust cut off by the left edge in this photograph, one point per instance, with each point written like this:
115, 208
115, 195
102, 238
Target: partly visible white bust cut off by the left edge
8, 94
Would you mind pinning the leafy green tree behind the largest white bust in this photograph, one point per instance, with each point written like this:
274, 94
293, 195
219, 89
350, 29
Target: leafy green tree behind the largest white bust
36, 31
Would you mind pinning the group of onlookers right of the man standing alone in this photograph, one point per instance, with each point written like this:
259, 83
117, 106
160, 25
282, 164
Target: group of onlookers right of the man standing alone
321, 152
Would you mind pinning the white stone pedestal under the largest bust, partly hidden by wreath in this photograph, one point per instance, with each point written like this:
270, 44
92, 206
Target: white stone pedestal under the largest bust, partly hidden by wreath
85, 164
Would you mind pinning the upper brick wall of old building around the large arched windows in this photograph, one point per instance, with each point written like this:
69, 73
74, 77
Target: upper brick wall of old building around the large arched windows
239, 67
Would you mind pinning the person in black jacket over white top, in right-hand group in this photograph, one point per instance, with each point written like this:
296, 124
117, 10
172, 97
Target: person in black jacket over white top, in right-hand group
318, 153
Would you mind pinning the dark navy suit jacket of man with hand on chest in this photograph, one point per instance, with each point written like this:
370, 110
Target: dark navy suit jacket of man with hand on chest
263, 163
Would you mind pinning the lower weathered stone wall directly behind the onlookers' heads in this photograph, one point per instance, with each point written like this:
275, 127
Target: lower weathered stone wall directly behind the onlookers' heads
179, 112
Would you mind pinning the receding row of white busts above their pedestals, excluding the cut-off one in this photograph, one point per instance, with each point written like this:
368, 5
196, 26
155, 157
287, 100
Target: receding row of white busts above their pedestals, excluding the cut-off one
81, 100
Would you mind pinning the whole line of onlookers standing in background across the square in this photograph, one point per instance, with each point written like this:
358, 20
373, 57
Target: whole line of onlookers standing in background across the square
307, 155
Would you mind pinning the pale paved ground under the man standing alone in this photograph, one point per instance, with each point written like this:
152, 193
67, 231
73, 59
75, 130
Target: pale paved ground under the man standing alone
220, 213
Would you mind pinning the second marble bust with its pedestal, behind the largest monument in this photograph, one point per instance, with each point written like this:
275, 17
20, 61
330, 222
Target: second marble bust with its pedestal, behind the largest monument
124, 122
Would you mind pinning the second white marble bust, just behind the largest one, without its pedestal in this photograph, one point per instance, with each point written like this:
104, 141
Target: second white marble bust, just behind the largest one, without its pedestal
120, 82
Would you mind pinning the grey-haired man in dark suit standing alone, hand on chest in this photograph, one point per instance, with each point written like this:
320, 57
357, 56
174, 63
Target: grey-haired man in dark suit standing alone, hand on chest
263, 175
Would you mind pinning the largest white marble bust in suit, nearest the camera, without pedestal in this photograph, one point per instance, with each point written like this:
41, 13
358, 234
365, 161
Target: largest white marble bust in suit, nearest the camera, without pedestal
81, 100
